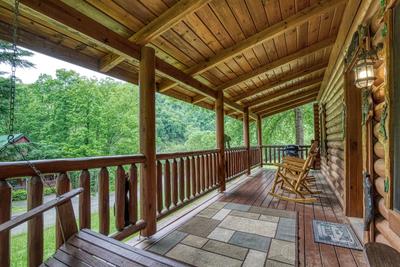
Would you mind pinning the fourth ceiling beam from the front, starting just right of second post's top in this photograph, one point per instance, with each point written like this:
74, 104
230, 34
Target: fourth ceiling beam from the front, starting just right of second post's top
281, 81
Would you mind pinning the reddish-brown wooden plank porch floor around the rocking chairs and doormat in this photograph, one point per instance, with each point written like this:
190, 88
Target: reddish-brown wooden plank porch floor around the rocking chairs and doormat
255, 192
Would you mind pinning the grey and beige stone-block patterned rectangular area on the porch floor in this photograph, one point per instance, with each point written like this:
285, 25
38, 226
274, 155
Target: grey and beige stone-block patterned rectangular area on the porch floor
229, 234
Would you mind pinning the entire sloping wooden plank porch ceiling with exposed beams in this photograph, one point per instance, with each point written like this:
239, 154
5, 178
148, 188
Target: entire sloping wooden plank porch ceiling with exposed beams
267, 55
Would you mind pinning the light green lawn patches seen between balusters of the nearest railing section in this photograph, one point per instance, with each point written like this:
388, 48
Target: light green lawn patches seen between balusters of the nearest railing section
19, 253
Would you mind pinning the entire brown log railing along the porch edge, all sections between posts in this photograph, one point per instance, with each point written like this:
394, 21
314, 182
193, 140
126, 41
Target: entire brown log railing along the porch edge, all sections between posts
181, 178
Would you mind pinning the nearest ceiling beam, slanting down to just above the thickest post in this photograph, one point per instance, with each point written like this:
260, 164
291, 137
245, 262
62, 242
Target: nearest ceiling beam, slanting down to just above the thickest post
155, 28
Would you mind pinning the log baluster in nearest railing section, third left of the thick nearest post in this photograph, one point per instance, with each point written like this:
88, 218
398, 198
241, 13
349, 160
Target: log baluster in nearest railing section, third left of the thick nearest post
104, 202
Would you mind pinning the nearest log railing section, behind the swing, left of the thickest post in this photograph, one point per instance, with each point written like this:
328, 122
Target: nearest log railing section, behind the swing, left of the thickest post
123, 169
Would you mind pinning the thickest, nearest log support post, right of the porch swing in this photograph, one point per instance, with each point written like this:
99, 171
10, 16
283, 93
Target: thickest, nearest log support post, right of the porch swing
147, 126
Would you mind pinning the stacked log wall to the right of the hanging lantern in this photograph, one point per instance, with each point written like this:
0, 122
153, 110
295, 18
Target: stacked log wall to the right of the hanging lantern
387, 220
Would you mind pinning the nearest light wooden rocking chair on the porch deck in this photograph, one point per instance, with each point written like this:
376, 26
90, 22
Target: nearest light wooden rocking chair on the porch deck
293, 178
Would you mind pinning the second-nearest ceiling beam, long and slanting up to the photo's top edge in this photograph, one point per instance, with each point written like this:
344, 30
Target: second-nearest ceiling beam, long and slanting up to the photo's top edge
260, 37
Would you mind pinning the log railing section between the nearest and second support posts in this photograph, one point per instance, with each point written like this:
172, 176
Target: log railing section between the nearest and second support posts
183, 177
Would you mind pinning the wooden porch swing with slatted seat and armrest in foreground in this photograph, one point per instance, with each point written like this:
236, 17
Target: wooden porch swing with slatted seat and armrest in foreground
85, 247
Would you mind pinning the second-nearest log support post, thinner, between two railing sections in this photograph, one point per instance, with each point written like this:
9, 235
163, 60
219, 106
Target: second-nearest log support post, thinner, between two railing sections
219, 110
